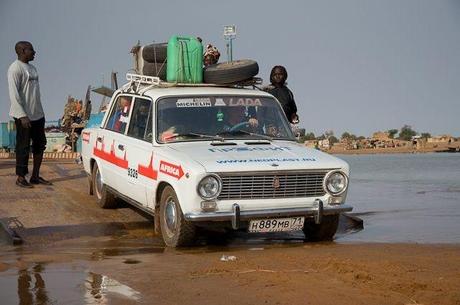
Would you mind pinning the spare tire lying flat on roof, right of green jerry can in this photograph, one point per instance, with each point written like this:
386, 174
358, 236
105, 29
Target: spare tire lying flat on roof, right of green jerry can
231, 72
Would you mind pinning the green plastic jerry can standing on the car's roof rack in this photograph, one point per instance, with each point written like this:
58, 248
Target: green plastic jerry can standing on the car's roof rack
185, 60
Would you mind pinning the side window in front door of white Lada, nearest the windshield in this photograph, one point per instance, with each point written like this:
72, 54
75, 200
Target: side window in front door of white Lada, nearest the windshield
140, 126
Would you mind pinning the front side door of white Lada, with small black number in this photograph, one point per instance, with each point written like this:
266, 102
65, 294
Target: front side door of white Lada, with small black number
139, 149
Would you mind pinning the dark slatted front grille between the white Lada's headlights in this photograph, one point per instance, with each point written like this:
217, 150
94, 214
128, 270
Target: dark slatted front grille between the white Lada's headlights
266, 186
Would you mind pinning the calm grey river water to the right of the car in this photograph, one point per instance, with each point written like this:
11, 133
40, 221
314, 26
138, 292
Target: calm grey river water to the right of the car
405, 197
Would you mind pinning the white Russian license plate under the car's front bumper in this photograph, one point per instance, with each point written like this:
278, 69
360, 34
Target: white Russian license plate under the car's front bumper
276, 224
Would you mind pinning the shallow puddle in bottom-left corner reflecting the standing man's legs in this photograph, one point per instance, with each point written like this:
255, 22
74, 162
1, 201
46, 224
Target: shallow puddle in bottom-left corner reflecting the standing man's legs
43, 284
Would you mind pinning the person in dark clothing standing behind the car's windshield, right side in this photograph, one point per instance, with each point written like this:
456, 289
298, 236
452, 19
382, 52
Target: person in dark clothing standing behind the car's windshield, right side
278, 89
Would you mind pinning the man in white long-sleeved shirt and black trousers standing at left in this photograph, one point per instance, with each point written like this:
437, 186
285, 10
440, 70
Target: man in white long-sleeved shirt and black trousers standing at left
27, 111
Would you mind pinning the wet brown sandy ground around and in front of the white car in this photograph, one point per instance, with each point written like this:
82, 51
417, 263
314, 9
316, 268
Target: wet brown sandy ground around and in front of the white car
64, 230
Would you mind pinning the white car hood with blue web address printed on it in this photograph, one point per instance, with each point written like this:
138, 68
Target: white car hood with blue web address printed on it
236, 156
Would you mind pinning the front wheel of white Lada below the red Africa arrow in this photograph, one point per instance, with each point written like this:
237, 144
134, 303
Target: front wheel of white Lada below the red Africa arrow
179, 232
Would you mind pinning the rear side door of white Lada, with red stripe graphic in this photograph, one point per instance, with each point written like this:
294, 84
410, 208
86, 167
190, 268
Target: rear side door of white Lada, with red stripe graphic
109, 148
